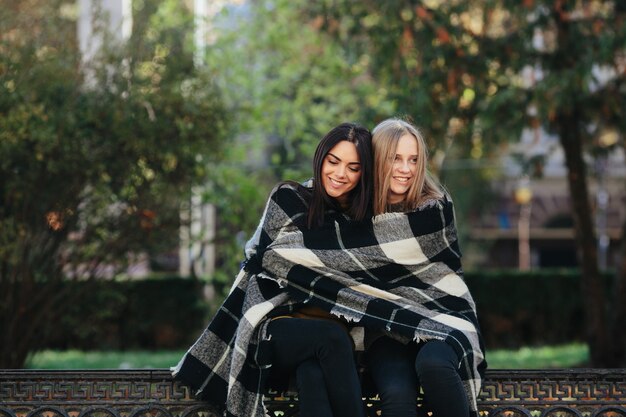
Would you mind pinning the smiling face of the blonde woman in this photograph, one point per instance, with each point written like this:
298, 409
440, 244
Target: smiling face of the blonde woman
404, 169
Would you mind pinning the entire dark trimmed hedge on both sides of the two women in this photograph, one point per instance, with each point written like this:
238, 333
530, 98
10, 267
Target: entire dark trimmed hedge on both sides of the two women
515, 309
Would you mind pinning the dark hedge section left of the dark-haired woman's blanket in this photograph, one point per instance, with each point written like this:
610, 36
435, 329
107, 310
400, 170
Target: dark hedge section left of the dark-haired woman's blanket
159, 313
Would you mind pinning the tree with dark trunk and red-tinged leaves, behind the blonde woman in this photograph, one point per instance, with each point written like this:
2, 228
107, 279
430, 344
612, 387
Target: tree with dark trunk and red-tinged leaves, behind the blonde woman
460, 67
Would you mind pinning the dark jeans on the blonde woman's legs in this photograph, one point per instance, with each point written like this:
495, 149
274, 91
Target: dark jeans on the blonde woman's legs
398, 370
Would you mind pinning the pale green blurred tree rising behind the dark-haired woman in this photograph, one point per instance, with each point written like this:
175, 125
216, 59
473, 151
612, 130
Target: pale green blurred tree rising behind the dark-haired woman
288, 84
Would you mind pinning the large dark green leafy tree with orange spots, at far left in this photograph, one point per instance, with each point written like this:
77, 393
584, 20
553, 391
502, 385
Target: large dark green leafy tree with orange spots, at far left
89, 177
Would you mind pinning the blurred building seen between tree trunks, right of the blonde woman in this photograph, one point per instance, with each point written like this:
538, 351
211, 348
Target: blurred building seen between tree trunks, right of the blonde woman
531, 224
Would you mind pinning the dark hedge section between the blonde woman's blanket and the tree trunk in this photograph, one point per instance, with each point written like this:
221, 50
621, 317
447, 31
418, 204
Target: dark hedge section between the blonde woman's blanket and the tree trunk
536, 308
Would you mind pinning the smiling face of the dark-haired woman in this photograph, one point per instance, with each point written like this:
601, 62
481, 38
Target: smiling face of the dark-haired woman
341, 171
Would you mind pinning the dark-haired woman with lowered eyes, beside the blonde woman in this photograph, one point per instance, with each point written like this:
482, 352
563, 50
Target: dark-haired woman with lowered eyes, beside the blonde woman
261, 331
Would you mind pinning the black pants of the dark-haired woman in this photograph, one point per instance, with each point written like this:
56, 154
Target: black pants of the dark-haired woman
320, 353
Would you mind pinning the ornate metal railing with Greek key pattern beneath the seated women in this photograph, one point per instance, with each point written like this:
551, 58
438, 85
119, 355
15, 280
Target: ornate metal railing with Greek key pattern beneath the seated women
153, 393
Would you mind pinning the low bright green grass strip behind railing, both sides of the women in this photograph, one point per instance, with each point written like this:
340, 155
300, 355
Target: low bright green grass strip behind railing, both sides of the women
566, 356
